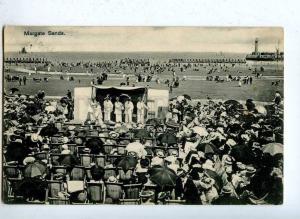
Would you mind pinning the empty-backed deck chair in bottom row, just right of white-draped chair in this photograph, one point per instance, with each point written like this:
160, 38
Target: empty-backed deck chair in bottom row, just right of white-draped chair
96, 192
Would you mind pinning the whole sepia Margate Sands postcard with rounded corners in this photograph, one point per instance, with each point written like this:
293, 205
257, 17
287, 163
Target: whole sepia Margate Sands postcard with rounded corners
142, 115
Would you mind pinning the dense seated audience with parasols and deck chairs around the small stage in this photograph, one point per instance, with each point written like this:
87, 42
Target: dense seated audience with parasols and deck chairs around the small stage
201, 153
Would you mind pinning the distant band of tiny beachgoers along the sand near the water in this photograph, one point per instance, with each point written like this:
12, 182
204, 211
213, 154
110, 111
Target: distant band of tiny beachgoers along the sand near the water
134, 65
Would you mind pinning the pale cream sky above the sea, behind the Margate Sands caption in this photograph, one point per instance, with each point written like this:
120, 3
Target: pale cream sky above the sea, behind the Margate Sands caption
144, 39
